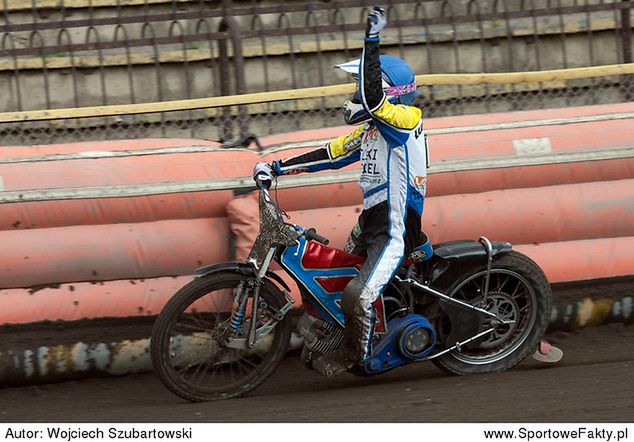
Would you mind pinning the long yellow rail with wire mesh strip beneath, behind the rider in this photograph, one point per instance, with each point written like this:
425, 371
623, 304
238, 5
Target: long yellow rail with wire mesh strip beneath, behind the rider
291, 110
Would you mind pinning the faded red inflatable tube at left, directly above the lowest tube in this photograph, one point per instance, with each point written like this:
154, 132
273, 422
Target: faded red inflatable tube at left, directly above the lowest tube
109, 252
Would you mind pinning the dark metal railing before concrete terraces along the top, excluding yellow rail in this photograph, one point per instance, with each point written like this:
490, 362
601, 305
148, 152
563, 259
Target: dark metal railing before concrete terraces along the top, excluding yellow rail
75, 53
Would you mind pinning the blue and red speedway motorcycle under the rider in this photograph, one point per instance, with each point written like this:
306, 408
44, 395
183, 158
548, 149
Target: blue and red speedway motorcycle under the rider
467, 306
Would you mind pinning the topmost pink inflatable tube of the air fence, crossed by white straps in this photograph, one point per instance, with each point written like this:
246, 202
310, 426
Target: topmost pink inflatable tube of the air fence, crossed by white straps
157, 168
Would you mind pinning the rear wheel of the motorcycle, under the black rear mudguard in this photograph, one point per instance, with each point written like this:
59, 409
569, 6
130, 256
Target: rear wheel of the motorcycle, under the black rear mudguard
518, 292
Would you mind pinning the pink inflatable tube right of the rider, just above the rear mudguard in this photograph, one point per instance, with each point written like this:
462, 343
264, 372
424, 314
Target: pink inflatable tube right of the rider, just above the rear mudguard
540, 214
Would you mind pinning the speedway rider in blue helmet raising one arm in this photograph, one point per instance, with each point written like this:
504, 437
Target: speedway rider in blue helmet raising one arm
391, 147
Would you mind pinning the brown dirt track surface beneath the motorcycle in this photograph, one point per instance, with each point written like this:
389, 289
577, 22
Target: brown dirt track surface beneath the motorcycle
593, 383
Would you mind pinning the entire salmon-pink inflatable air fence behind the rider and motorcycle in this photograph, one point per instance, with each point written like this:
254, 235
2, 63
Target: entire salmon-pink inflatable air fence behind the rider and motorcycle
68, 259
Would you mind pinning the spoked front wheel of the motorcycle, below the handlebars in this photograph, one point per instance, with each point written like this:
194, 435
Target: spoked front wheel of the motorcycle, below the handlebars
198, 356
